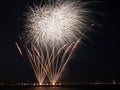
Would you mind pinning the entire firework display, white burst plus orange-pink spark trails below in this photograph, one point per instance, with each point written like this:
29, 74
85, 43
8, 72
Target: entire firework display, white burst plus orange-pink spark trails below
52, 32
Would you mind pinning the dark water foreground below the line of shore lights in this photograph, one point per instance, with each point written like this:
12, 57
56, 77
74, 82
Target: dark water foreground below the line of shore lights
77, 87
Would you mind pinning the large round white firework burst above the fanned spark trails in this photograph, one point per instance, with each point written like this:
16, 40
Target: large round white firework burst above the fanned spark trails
56, 23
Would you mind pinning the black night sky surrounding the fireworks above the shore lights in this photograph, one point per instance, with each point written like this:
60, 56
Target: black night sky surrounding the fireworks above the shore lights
96, 59
